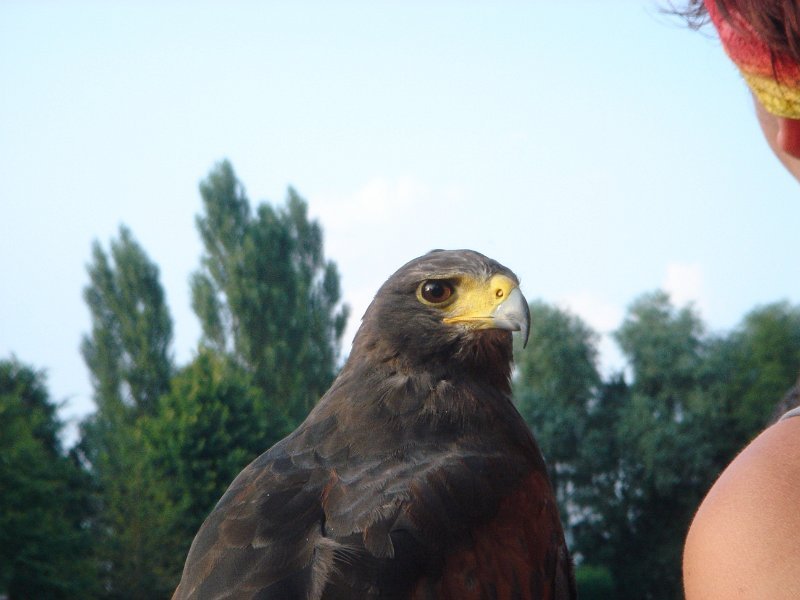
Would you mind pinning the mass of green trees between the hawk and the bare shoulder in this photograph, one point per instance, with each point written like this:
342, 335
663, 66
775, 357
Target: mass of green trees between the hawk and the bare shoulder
632, 460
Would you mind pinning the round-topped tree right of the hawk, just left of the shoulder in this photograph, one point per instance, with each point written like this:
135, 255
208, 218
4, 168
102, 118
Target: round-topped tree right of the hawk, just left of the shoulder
663, 464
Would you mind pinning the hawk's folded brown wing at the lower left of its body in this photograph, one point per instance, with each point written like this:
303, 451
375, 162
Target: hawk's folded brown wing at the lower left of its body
261, 532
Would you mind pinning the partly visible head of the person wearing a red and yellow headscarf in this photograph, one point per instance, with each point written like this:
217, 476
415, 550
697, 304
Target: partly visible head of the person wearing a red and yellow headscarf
763, 38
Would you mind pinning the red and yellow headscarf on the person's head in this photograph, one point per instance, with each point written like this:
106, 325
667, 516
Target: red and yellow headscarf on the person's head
773, 77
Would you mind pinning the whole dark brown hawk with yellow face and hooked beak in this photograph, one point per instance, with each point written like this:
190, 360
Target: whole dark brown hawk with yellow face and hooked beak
413, 477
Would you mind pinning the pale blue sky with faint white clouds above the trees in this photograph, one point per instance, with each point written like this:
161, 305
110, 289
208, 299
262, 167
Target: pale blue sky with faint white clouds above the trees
601, 150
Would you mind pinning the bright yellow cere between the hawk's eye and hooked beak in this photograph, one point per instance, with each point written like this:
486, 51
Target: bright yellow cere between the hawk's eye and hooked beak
475, 300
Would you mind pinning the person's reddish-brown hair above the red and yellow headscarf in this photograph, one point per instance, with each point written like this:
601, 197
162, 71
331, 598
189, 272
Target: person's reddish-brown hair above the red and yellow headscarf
777, 22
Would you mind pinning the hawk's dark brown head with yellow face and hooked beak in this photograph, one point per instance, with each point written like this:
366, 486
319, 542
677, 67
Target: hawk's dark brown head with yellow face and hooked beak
447, 306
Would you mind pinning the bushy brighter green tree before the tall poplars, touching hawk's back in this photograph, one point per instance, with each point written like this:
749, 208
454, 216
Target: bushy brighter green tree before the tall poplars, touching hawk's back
210, 425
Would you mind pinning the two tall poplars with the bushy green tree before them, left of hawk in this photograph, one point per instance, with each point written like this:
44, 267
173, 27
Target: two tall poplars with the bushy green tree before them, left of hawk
163, 445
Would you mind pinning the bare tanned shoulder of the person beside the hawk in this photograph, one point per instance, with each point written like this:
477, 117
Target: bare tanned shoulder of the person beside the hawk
744, 541
